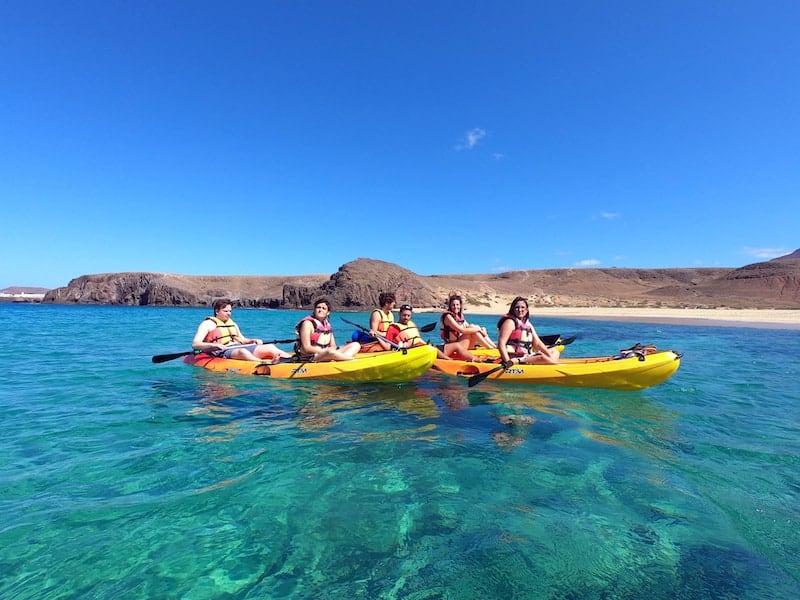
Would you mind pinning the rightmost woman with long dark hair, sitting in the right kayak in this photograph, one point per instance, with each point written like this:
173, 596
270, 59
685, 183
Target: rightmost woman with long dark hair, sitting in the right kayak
518, 341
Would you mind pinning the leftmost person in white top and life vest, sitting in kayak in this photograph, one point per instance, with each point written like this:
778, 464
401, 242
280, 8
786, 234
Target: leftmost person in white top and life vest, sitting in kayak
220, 335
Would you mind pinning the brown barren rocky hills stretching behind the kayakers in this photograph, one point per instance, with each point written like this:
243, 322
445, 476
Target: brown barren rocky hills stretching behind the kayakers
356, 285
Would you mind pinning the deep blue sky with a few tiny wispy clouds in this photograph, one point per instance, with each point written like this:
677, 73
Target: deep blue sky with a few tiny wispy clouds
292, 137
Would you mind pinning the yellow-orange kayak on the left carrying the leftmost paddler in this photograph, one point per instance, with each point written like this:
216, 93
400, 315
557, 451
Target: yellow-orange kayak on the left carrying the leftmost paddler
392, 366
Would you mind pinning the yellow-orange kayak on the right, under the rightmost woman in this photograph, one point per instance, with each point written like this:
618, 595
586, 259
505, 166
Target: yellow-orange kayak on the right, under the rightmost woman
634, 372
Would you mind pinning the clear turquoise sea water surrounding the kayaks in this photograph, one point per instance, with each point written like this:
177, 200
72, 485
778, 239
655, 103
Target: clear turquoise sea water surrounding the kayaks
121, 478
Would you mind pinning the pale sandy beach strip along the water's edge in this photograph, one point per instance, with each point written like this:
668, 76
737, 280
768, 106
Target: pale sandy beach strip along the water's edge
707, 317
